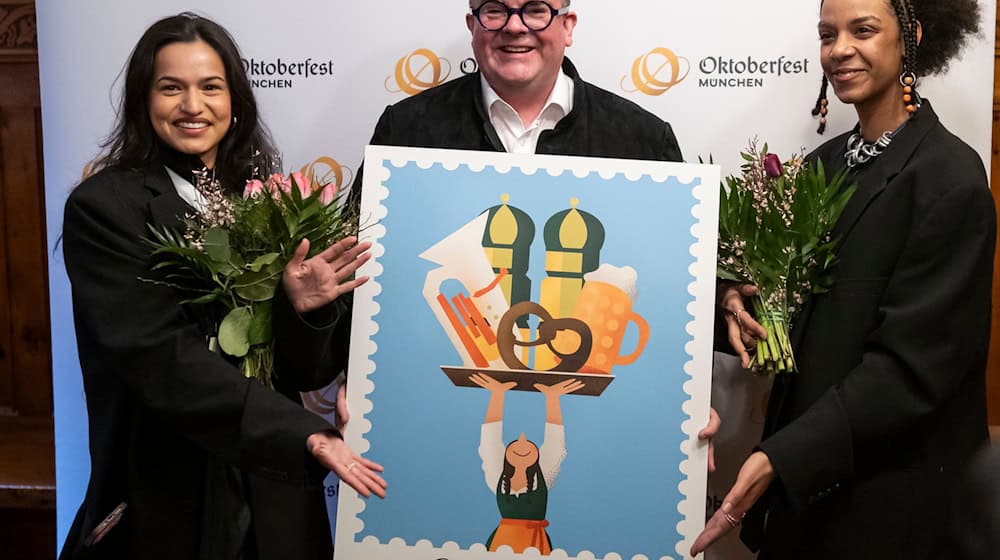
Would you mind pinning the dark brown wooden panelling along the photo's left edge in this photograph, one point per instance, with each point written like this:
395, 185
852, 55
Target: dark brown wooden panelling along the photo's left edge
25, 346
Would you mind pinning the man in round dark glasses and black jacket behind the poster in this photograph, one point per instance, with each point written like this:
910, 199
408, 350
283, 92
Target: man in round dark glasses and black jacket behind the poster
526, 97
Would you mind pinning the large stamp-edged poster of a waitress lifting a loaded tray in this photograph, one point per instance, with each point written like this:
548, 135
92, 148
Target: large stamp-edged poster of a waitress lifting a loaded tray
531, 360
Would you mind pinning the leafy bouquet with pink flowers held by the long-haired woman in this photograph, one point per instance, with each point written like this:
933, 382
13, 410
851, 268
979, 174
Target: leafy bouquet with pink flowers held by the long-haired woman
233, 252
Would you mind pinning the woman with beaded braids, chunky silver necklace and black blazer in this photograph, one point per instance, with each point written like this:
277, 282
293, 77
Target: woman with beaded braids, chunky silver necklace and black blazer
864, 443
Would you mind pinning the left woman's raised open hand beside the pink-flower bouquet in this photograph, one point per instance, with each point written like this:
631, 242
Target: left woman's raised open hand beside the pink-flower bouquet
315, 282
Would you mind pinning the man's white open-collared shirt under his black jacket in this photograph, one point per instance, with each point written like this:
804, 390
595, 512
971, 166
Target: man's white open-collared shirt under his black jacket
515, 136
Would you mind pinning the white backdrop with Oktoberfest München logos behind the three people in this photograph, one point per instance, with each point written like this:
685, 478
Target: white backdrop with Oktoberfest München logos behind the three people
699, 60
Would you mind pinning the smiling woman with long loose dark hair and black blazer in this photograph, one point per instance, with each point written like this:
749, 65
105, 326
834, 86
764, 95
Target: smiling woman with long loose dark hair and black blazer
189, 458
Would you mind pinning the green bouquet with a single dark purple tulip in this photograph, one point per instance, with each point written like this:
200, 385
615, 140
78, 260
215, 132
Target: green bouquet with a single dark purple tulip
776, 232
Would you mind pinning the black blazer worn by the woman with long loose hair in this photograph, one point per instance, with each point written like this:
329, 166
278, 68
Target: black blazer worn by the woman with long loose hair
200, 454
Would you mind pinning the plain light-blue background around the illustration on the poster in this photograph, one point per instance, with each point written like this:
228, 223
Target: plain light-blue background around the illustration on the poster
618, 487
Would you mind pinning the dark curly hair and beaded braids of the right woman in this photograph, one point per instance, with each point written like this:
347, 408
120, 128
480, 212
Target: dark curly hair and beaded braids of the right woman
947, 27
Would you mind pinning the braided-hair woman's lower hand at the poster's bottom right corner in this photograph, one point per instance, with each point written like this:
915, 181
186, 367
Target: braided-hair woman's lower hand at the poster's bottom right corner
755, 476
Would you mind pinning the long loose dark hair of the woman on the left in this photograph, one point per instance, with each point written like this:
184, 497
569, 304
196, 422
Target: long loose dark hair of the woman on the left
246, 147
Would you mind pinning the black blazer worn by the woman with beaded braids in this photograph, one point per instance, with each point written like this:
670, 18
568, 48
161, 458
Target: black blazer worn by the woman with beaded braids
889, 401
